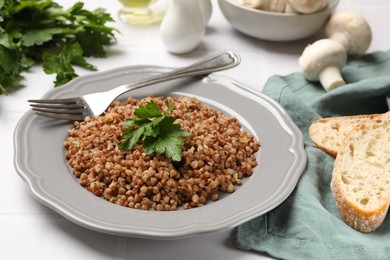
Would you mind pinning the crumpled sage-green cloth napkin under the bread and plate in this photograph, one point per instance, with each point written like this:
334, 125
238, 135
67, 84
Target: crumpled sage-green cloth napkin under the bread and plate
307, 225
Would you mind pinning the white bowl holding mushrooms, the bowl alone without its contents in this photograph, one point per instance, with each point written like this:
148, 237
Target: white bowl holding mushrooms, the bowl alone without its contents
275, 26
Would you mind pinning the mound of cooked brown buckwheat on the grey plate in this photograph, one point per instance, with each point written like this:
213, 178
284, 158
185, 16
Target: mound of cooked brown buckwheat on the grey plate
216, 156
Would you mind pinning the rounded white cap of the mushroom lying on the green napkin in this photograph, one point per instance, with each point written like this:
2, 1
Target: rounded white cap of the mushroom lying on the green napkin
319, 55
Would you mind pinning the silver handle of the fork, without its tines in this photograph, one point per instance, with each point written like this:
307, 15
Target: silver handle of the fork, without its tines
221, 61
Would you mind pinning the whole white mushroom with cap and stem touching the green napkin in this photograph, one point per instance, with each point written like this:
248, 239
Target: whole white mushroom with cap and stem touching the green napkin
322, 61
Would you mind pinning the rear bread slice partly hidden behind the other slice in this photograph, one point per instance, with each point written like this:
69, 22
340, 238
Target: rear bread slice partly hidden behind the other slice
328, 133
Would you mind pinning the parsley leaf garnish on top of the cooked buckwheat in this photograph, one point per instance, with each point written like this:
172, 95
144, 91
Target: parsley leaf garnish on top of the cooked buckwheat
155, 130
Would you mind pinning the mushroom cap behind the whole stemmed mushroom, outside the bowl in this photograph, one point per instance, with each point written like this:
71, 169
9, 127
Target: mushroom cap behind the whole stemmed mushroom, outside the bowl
354, 28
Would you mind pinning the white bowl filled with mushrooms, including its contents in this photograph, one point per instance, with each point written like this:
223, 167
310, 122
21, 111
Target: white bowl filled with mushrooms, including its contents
278, 20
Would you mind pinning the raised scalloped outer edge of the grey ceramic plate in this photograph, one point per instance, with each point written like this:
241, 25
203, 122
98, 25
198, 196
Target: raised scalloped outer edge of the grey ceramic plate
300, 160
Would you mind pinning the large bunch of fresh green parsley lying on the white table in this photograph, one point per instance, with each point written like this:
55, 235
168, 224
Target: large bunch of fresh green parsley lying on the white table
42, 31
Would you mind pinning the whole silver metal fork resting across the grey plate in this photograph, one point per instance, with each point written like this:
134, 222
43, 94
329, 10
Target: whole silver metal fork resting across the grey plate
77, 108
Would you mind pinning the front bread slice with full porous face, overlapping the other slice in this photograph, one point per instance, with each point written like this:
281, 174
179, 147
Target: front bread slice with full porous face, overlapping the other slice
361, 175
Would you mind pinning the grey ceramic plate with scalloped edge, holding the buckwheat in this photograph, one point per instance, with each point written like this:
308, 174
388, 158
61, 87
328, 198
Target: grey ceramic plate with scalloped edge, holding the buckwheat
40, 159
